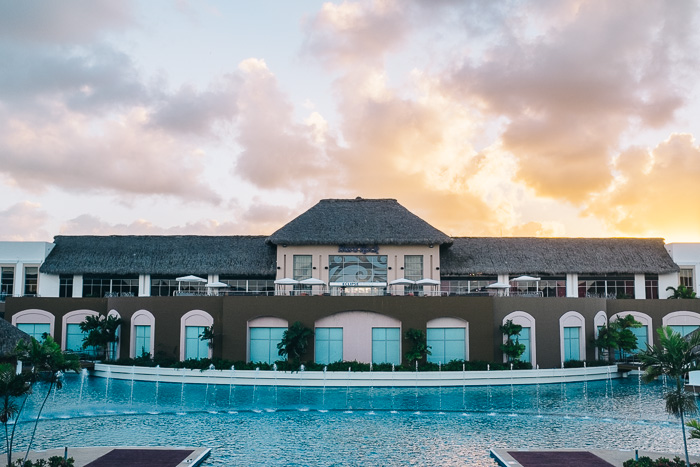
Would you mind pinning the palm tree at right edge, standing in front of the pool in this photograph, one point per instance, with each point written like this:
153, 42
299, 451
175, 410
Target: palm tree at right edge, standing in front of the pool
674, 356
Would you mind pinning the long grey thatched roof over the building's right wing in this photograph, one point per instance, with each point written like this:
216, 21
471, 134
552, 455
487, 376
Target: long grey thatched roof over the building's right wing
472, 255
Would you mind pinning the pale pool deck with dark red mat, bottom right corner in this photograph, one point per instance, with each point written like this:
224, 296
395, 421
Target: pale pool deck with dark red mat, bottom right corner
573, 457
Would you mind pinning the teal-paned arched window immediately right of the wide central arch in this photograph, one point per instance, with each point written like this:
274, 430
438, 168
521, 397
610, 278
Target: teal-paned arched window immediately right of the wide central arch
448, 339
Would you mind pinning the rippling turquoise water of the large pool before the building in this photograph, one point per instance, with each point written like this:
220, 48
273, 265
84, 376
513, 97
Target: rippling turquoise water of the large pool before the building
356, 426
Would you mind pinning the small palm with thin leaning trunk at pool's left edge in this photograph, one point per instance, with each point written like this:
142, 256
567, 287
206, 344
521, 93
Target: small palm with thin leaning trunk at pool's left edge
48, 363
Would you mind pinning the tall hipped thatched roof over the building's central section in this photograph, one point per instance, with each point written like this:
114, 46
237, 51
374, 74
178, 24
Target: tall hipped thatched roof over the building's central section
358, 222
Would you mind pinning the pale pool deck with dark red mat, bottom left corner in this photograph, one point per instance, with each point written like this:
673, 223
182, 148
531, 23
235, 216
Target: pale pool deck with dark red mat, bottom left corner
120, 456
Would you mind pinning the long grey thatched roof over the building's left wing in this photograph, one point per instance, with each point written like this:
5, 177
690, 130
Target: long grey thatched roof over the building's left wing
246, 256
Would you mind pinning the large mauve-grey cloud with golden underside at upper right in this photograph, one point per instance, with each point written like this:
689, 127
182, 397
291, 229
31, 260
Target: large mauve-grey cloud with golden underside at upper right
570, 94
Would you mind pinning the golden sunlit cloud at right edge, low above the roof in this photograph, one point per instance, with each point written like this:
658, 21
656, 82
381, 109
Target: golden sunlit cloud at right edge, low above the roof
656, 191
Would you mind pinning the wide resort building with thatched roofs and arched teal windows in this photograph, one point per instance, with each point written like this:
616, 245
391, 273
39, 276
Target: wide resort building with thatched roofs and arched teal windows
359, 272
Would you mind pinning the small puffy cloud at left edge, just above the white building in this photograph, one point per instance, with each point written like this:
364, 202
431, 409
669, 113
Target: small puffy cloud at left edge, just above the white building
24, 221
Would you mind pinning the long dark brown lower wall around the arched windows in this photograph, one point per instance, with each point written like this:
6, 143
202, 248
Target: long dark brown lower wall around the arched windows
231, 315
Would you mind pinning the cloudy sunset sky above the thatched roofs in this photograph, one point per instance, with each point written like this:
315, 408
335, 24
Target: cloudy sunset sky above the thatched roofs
558, 118
